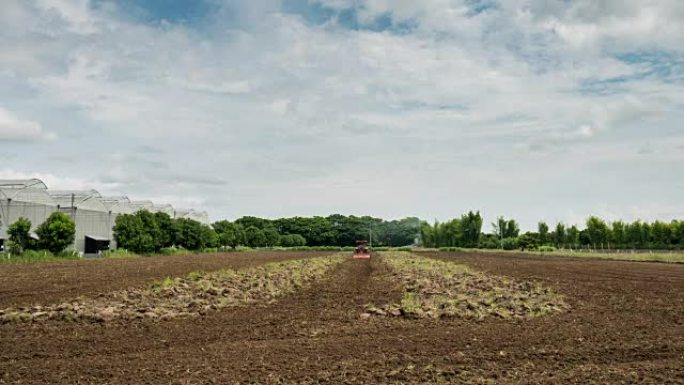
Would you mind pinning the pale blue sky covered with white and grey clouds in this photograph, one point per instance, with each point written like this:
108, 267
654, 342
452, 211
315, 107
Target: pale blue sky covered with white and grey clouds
547, 110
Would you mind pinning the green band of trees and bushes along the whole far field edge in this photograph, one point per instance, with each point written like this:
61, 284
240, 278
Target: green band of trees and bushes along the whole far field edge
157, 233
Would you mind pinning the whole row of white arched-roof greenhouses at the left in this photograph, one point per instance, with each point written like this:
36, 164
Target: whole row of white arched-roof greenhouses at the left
93, 214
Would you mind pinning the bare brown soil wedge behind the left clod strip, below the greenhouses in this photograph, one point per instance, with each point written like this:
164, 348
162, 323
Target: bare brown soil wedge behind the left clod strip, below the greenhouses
42, 283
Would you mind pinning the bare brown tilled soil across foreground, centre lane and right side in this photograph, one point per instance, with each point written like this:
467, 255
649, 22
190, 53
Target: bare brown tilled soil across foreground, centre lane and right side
626, 326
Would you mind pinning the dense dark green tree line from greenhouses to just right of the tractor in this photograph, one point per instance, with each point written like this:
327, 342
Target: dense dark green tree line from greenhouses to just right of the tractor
145, 232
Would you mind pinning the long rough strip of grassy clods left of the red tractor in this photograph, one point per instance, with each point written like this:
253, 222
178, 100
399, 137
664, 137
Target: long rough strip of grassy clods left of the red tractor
194, 295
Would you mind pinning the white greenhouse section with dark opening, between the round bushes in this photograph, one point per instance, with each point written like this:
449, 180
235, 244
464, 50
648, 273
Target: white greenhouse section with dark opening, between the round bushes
93, 219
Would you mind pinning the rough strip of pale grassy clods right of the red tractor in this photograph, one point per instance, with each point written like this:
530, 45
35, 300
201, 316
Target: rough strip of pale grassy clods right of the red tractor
437, 289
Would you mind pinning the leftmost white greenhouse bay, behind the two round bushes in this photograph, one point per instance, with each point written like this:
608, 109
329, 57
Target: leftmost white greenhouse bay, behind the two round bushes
23, 198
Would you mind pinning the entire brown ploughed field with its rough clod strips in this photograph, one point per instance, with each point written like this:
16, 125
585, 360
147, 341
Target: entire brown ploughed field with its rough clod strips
554, 320
